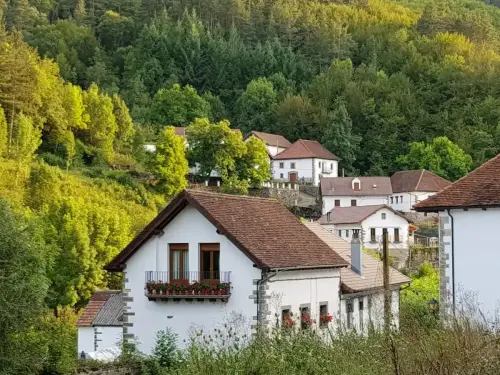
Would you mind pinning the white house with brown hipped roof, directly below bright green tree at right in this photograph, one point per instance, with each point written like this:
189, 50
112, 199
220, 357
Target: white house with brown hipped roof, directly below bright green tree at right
411, 187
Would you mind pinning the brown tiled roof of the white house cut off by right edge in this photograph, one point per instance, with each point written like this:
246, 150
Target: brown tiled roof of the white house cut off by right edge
480, 189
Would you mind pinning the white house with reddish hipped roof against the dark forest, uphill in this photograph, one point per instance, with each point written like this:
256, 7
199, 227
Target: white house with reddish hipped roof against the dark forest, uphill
304, 161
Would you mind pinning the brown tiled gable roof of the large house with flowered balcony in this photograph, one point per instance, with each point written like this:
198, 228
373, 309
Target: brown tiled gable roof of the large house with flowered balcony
264, 229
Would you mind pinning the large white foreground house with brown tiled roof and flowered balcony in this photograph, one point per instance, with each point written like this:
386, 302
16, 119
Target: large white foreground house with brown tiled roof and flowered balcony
212, 259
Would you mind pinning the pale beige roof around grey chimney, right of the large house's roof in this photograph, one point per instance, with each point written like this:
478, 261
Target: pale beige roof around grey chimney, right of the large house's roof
372, 276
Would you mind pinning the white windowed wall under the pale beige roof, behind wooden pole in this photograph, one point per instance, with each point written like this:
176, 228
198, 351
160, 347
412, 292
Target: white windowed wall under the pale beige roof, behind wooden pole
374, 315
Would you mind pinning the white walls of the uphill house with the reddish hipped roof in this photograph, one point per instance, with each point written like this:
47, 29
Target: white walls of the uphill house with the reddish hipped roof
307, 169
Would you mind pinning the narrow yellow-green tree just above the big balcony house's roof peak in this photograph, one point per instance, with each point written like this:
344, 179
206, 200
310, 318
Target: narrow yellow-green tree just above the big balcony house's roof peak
169, 164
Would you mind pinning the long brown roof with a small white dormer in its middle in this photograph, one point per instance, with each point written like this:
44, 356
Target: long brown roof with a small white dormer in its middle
342, 186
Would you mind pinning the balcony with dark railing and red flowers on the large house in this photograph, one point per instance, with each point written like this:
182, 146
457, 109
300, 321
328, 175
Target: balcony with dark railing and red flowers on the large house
189, 286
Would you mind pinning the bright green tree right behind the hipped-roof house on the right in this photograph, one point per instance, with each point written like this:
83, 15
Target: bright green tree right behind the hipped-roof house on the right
442, 156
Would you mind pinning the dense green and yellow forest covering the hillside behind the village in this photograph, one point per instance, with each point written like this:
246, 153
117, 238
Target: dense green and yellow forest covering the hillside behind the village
84, 84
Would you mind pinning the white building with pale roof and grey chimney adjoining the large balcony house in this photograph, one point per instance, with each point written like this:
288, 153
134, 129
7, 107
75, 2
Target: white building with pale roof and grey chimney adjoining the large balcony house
362, 294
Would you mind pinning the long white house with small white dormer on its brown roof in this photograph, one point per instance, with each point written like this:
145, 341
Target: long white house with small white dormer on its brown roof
354, 191
